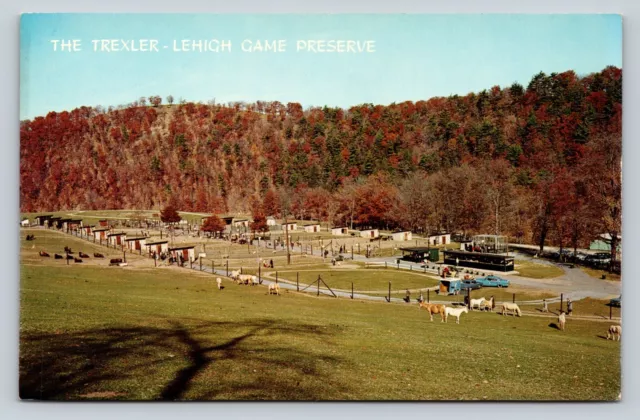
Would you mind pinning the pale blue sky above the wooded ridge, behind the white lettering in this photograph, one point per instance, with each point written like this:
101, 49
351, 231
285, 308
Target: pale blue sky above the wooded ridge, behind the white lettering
416, 57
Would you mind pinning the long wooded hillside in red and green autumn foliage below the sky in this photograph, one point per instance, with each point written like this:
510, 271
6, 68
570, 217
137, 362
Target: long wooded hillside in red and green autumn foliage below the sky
540, 162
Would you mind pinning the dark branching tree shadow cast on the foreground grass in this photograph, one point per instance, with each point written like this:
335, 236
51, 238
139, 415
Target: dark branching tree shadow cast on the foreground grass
208, 360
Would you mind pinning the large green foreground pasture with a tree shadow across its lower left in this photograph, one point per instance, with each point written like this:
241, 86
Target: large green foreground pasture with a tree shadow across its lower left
137, 333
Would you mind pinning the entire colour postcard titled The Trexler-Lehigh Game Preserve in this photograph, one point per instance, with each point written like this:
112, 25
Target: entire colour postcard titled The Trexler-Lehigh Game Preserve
320, 207
